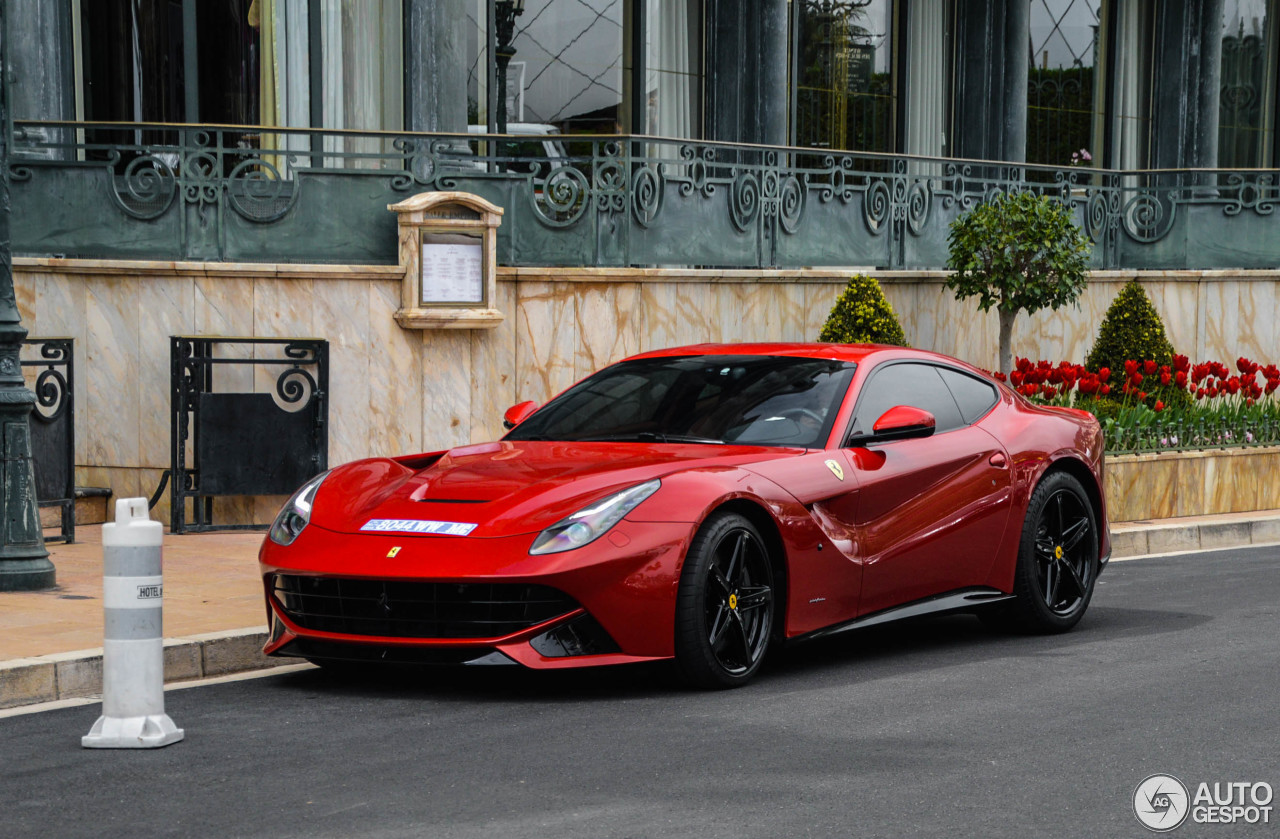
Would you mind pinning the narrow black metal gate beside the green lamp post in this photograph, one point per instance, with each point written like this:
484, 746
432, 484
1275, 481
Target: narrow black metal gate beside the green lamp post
53, 430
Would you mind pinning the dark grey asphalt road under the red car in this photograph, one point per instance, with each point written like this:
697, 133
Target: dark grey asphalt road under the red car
932, 728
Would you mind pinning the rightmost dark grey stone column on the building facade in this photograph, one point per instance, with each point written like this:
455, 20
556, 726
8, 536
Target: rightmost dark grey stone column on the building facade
1188, 69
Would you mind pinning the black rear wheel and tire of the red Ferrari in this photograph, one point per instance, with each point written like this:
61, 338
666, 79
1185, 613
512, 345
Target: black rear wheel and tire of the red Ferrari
1058, 559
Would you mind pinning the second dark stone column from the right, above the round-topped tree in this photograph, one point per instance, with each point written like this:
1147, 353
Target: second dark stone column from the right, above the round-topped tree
990, 112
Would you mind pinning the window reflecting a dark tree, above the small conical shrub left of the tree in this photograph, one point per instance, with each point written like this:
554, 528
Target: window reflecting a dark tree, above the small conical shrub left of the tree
842, 75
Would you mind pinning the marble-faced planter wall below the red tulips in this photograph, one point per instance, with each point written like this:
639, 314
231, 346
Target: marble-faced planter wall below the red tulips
1173, 485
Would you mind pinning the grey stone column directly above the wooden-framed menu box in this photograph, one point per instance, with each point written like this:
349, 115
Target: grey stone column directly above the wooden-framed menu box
436, 66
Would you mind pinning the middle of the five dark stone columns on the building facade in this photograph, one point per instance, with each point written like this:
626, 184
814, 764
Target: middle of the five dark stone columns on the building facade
747, 71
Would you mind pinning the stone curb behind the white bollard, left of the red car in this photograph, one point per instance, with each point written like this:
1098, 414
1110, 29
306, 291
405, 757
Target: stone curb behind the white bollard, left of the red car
68, 676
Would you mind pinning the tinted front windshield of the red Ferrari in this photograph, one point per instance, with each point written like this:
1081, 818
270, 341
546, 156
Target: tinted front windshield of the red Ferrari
743, 400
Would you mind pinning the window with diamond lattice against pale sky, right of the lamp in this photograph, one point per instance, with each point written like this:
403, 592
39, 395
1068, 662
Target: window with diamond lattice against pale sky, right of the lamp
568, 69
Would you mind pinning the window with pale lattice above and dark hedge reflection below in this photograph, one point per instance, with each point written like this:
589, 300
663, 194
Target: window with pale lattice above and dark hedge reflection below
1062, 94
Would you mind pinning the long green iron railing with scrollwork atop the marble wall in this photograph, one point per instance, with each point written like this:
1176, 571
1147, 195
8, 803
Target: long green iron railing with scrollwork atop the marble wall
218, 193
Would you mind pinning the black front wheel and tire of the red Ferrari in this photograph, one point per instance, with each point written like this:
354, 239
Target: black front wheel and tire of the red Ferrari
725, 607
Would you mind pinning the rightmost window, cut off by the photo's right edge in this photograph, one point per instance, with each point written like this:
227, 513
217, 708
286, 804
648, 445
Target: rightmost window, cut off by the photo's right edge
1249, 95
